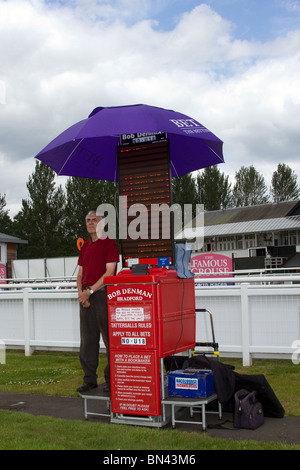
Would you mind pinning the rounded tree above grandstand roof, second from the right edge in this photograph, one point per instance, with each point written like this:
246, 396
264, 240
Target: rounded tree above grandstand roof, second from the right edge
250, 188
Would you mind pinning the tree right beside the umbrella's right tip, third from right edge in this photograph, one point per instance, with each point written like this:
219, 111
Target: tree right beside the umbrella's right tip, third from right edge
214, 189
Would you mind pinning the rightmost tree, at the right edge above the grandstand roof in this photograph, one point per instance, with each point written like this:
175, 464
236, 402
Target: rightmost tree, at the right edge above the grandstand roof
284, 186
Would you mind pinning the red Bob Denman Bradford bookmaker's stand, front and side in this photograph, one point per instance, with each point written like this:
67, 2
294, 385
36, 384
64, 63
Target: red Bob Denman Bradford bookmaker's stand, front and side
150, 316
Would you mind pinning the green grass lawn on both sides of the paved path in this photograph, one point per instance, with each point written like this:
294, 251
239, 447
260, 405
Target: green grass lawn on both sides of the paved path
60, 373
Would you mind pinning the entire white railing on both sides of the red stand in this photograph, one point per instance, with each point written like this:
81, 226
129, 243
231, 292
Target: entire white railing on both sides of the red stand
253, 317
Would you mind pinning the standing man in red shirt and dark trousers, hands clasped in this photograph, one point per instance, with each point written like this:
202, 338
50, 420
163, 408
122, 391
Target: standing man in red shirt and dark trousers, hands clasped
98, 258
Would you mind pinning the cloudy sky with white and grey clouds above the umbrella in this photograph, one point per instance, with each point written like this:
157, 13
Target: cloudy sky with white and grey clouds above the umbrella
234, 65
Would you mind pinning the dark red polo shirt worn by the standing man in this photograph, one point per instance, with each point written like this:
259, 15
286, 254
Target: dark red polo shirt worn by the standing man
94, 256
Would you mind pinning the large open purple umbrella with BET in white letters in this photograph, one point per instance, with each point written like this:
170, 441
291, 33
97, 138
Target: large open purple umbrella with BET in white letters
89, 148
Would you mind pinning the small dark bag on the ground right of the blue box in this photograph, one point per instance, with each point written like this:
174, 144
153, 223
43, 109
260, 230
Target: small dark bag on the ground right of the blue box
248, 411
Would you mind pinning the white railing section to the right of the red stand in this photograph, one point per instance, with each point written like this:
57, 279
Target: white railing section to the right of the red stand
253, 317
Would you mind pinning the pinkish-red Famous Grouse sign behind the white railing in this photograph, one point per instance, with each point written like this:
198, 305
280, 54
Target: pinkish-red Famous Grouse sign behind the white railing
211, 265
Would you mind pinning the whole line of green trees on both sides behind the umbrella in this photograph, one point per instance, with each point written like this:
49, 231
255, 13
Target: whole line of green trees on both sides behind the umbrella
52, 219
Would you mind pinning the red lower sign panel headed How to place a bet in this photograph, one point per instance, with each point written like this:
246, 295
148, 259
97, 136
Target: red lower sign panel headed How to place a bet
135, 382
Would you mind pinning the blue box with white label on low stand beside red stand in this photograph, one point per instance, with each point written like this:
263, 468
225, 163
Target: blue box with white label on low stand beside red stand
191, 383
